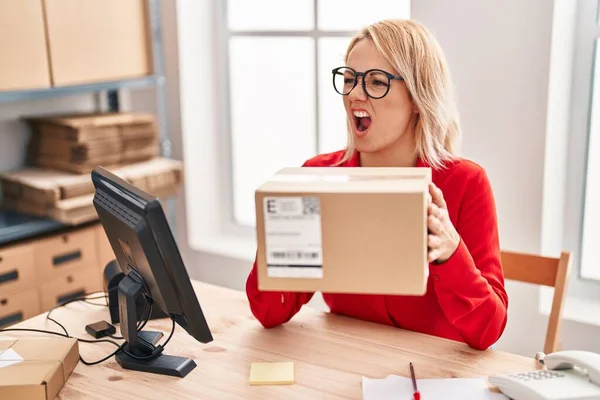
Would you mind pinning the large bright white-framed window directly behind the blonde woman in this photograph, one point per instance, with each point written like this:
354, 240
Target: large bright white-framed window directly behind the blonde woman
280, 108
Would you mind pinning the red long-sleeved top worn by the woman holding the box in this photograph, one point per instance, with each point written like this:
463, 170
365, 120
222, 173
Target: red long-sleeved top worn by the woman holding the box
465, 300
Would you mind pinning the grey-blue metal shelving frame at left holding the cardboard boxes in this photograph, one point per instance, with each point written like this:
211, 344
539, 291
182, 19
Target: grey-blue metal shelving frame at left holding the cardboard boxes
17, 226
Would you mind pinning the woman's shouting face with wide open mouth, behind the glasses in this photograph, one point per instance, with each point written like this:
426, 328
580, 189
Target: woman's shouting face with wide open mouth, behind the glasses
387, 120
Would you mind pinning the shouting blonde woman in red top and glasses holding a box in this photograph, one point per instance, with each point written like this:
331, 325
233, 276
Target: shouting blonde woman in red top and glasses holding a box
398, 97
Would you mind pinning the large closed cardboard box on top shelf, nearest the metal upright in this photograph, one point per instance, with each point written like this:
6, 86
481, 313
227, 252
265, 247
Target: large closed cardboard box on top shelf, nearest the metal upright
93, 41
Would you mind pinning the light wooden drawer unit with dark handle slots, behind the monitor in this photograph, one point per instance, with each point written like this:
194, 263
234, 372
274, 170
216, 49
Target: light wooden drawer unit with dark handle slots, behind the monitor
36, 274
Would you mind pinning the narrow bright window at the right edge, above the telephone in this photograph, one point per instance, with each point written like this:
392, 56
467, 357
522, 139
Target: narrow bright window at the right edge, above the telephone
583, 185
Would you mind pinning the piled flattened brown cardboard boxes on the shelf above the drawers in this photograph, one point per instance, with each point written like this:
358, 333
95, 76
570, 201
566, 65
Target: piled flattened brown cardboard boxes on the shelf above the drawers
64, 150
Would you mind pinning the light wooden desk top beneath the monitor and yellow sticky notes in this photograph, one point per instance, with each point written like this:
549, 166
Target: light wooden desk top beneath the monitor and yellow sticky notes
330, 353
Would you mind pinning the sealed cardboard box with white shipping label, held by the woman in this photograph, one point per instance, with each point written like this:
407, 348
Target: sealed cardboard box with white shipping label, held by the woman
345, 230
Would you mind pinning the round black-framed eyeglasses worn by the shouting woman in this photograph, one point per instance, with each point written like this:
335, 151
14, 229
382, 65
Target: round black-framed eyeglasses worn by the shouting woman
375, 82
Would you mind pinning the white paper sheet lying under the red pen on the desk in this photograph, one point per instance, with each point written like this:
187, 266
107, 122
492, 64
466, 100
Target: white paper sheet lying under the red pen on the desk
396, 387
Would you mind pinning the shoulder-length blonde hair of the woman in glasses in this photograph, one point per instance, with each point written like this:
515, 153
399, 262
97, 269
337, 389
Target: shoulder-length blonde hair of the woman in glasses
416, 55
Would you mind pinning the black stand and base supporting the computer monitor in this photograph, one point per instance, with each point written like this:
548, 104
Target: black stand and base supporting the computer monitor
143, 344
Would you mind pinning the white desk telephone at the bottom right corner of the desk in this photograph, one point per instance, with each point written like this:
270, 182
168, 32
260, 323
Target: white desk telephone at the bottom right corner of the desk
569, 375
